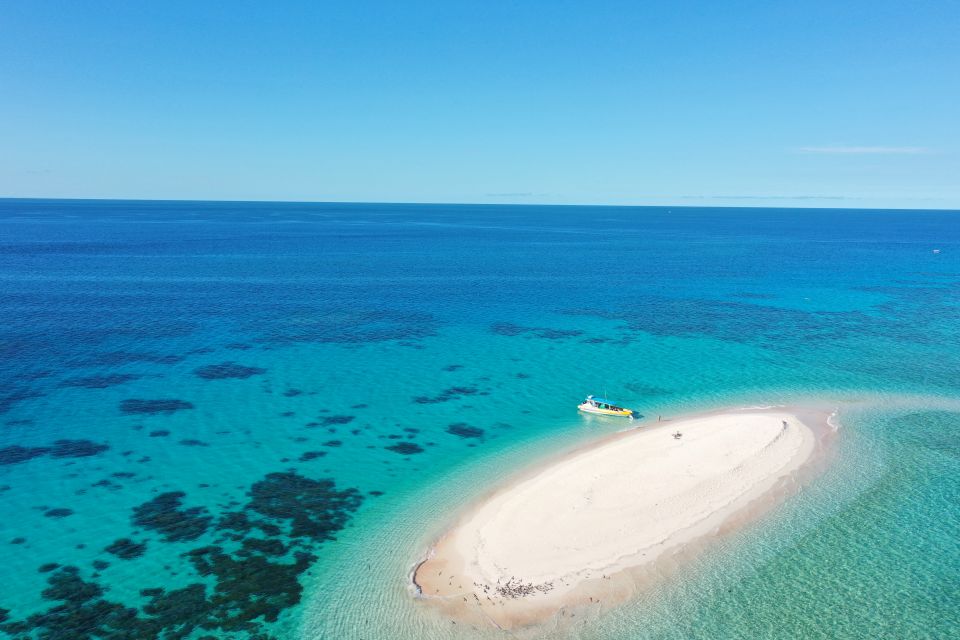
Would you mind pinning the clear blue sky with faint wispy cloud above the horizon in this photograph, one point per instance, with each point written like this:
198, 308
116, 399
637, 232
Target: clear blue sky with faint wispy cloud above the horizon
791, 103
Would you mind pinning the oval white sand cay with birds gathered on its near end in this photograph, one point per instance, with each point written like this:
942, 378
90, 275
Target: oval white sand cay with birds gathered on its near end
582, 529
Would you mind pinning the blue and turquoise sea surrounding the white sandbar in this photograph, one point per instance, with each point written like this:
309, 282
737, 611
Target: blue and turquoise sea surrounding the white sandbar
243, 420
